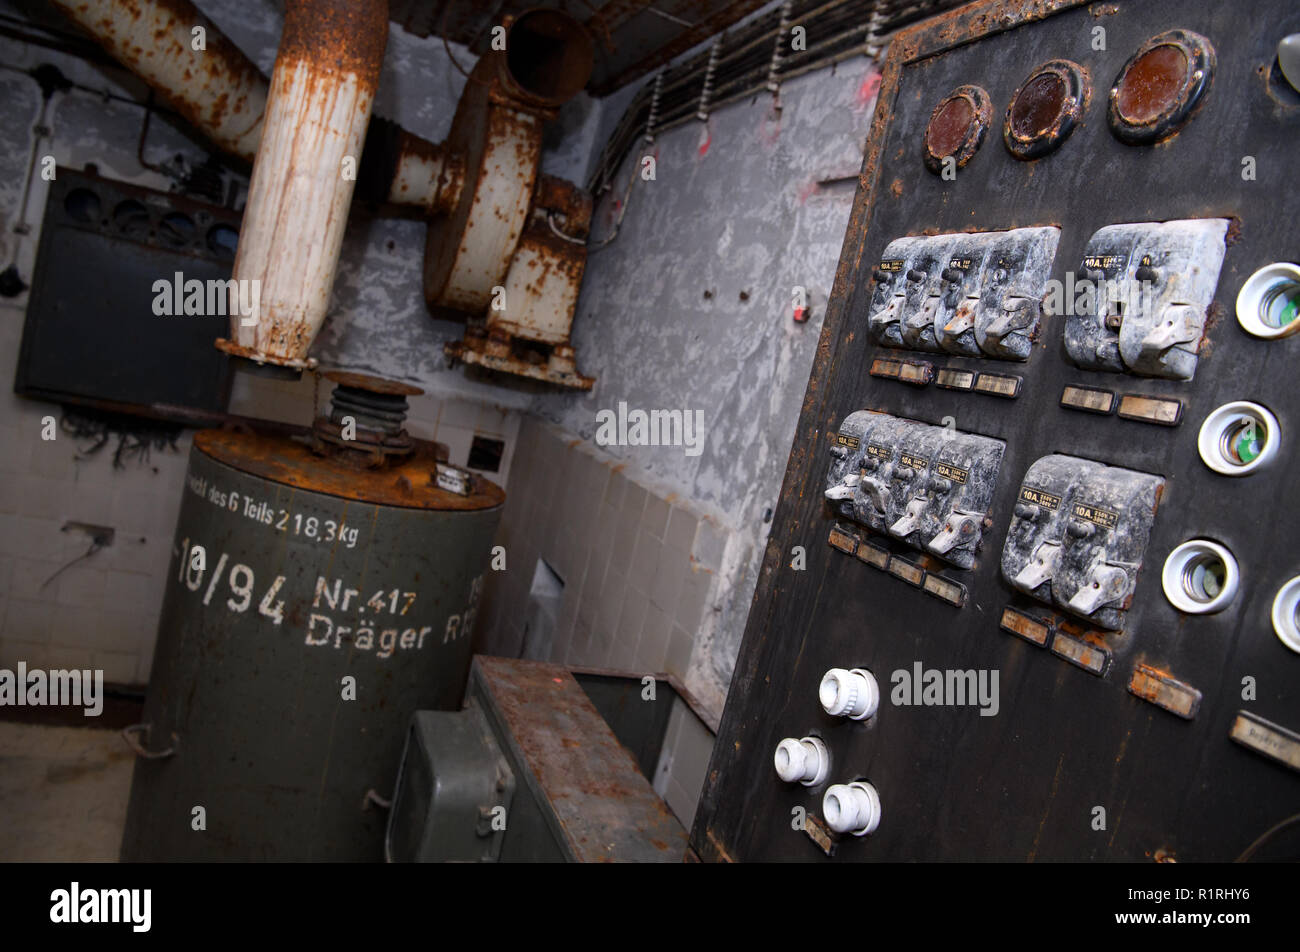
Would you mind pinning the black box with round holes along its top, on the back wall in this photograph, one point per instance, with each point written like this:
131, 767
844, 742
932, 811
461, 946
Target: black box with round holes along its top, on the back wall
131, 292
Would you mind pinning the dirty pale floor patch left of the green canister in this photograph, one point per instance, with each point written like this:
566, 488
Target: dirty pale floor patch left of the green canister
63, 794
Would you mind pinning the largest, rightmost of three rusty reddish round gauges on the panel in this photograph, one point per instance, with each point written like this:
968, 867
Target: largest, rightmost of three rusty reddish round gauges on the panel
1160, 88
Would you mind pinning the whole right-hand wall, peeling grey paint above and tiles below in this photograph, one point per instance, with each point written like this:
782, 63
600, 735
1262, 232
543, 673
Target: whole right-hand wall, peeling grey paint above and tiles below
690, 308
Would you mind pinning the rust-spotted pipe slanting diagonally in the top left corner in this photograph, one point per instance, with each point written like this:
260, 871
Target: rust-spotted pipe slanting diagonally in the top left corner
215, 86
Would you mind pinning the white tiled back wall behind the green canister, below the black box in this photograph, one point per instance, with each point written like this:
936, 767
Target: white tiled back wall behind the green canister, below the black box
103, 612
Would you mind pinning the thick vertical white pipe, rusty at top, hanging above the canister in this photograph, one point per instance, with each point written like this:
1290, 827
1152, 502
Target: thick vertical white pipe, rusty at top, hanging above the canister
318, 112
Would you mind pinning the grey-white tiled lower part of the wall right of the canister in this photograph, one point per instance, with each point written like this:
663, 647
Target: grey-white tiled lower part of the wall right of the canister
640, 573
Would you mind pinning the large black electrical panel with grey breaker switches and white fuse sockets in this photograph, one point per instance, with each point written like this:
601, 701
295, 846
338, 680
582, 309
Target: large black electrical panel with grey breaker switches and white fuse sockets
1033, 588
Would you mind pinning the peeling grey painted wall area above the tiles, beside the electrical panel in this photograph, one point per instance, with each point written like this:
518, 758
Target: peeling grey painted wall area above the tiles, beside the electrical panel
691, 308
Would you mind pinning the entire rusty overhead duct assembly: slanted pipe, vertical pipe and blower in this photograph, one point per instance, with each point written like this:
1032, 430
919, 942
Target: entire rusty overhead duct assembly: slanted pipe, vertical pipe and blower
506, 249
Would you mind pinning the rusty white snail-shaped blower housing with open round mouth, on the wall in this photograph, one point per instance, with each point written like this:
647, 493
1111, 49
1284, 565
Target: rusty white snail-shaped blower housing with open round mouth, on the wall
512, 256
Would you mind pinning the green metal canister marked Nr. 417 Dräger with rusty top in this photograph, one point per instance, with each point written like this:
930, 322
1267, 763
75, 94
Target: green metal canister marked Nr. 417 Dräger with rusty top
313, 608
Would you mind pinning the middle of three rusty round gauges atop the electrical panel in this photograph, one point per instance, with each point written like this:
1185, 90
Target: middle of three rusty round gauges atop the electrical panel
1046, 109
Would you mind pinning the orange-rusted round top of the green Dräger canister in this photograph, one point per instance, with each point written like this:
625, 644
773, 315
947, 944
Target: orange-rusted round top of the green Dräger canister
410, 483
